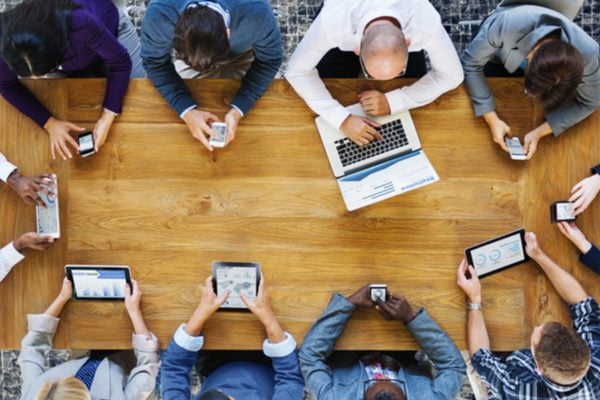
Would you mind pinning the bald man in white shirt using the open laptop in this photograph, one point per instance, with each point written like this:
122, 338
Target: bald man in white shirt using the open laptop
376, 36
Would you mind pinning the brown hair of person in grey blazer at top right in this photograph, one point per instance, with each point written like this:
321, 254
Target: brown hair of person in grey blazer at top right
553, 73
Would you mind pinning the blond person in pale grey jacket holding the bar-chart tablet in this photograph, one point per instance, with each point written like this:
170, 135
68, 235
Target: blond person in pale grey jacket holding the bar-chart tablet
93, 377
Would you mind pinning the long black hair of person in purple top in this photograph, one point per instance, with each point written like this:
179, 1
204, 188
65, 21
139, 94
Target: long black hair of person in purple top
35, 35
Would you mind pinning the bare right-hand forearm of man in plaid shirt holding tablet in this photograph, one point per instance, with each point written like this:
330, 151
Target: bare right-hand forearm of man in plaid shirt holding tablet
565, 284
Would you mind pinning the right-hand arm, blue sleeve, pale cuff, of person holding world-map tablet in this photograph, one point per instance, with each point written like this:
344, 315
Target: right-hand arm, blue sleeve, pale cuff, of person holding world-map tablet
280, 346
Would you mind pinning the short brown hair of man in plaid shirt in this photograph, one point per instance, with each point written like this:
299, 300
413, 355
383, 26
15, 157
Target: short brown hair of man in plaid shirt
562, 354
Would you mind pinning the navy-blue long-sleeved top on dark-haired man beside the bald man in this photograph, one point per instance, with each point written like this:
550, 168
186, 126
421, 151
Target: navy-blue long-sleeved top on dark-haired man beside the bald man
252, 26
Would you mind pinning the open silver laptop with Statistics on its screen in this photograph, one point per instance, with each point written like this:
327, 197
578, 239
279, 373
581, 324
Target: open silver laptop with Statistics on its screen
381, 169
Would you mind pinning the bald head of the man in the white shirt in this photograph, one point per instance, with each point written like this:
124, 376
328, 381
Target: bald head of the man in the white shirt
384, 50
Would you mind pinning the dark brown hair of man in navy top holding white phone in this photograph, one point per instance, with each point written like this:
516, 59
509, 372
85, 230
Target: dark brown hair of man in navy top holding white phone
200, 39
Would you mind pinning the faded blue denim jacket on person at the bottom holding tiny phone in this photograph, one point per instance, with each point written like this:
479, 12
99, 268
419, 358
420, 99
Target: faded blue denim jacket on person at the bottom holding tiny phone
327, 383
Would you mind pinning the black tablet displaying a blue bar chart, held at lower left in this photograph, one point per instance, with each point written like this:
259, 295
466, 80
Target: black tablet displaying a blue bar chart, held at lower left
98, 282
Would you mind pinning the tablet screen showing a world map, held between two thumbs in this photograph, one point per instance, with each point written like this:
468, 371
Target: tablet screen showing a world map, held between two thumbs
239, 280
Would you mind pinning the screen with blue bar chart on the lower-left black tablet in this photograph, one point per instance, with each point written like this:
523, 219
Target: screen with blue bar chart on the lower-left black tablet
99, 283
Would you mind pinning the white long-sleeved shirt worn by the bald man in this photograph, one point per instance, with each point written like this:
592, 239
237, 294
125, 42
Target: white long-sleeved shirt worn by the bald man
341, 24
